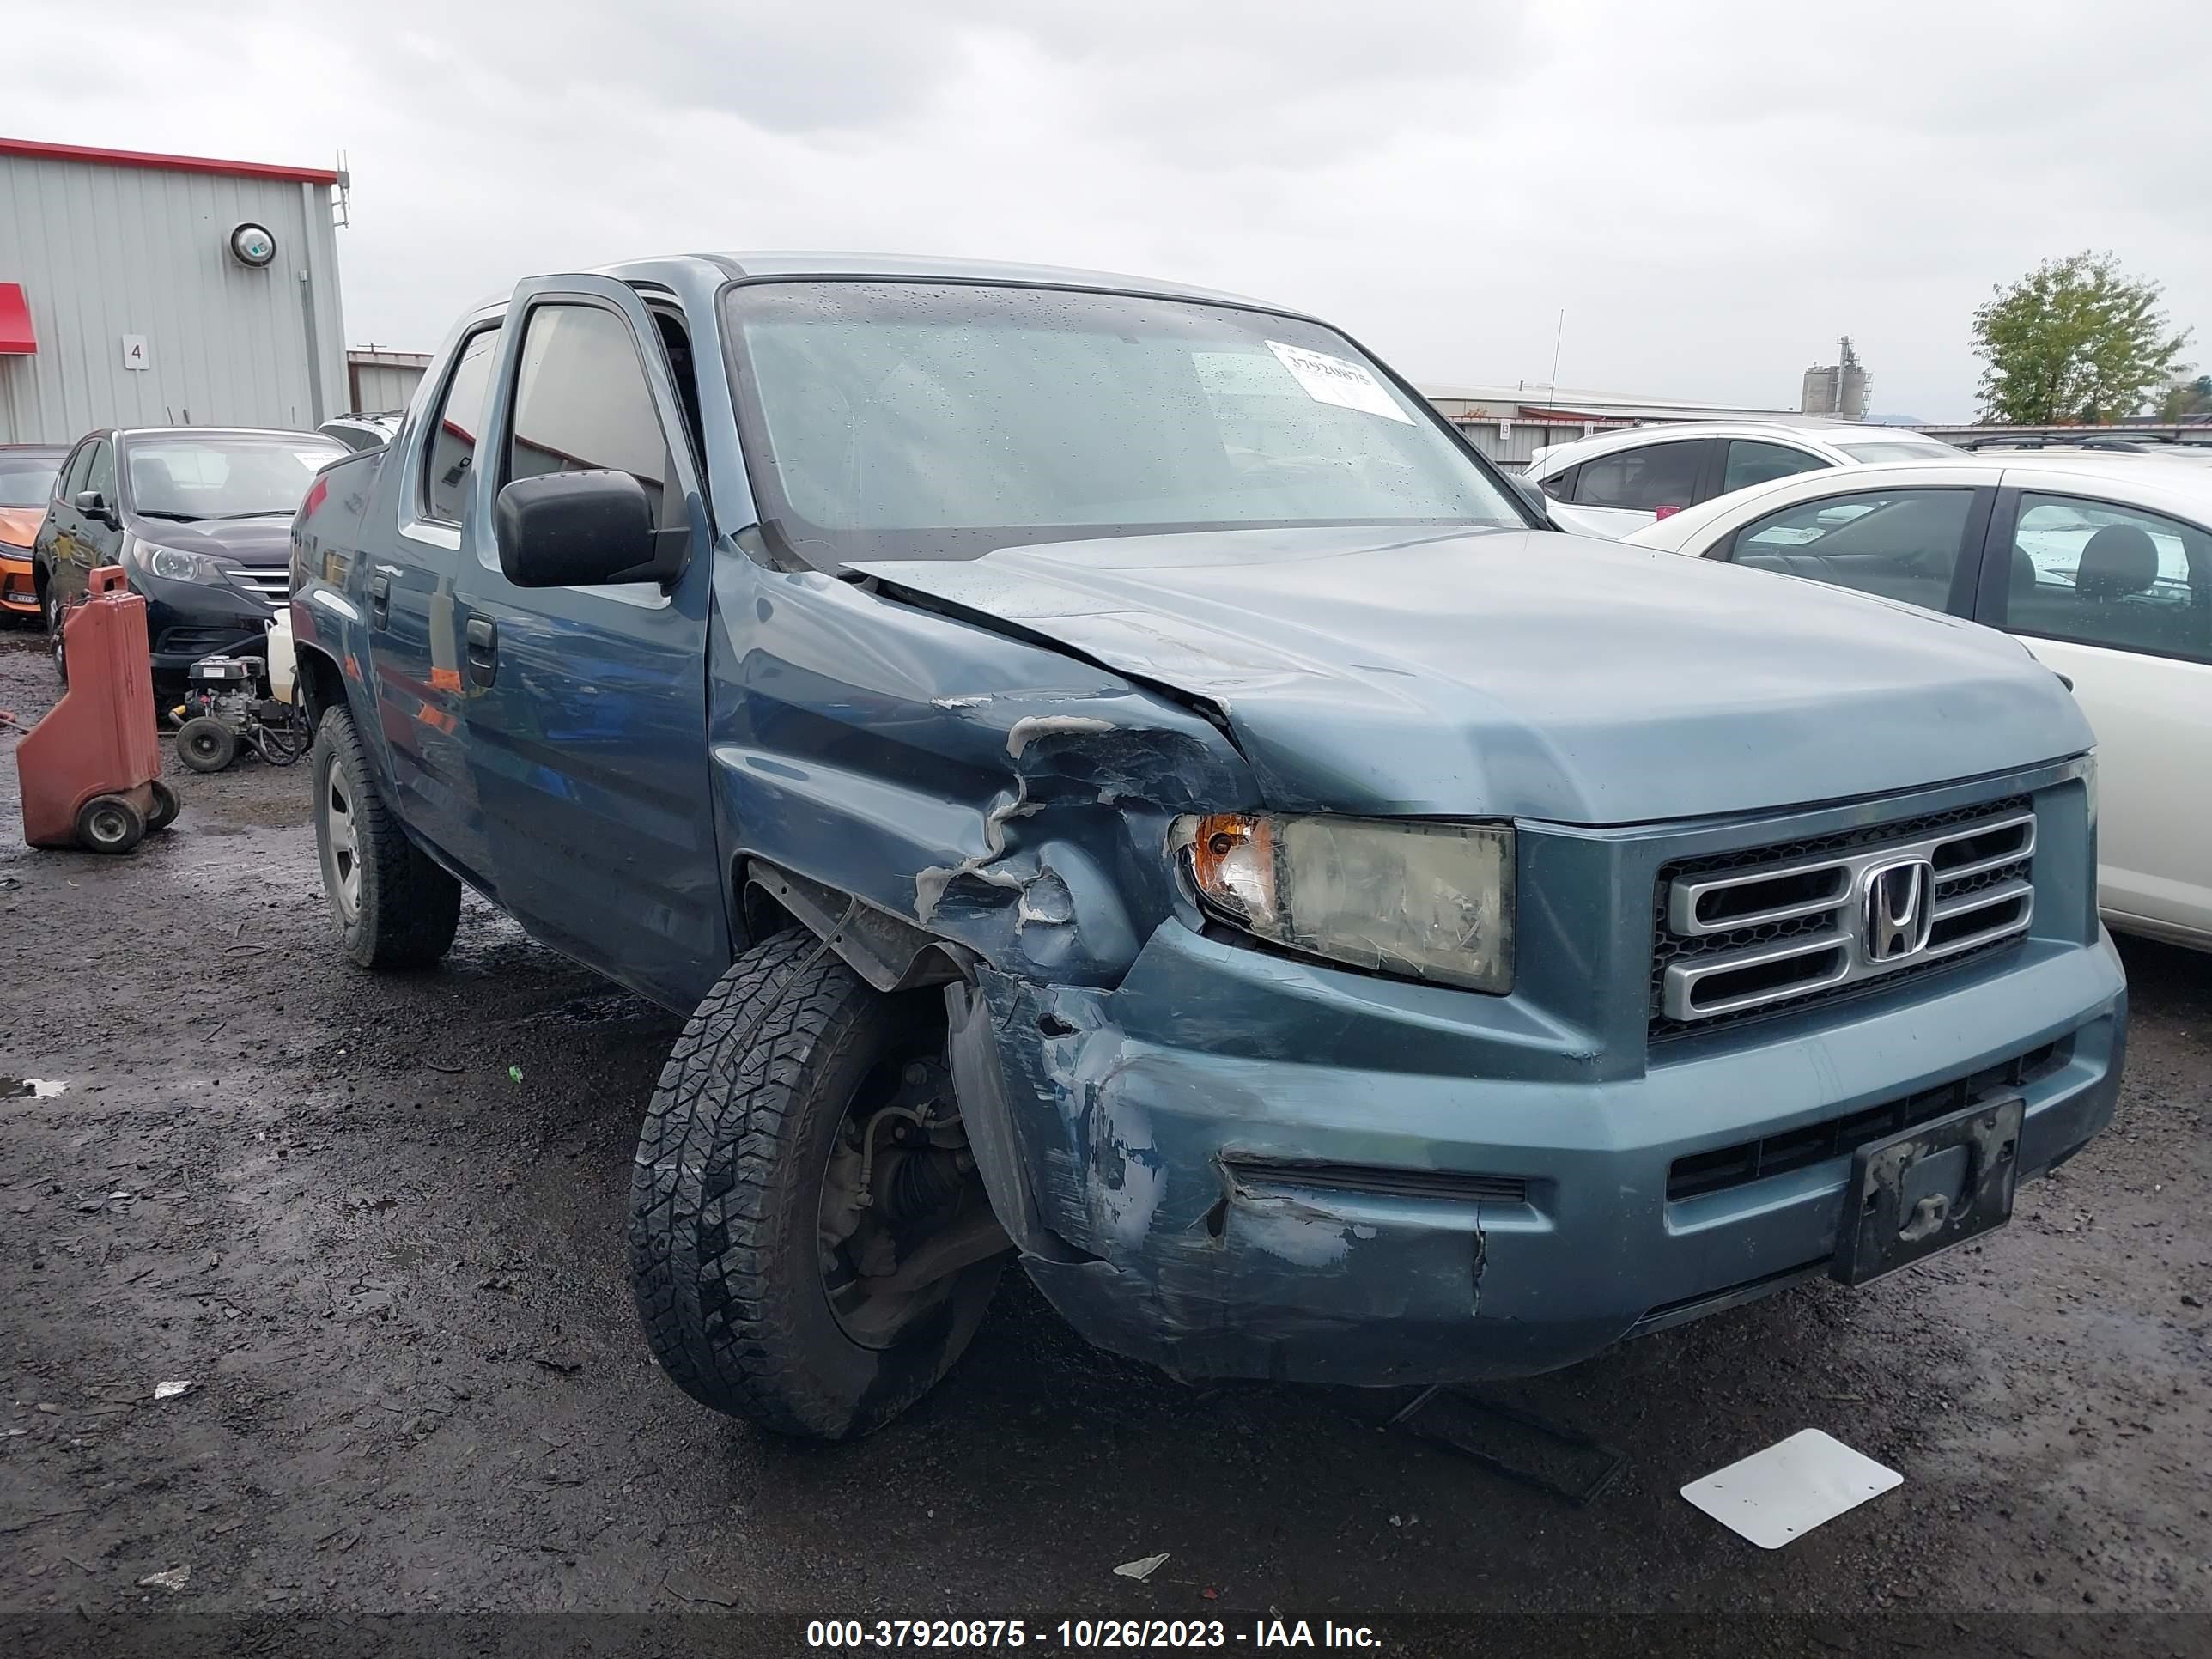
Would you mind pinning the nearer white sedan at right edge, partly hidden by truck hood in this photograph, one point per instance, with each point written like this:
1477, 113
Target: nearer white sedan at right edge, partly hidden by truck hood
2103, 565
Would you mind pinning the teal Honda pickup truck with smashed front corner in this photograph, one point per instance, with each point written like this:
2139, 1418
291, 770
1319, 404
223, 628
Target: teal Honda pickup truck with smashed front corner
1120, 786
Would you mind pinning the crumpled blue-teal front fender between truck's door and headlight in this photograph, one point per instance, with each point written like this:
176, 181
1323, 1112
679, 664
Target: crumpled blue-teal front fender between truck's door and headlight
990, 793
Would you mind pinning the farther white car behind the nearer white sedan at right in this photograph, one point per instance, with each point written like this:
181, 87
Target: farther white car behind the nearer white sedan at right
1620, 481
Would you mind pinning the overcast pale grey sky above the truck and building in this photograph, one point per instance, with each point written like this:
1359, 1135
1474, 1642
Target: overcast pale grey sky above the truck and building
1711, 191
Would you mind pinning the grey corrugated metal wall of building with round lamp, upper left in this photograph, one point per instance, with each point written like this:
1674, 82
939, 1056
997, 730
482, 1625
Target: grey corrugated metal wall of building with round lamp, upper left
112, 251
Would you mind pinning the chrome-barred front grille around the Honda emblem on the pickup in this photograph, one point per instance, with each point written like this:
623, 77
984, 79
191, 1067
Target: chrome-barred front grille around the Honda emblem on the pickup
1753, 932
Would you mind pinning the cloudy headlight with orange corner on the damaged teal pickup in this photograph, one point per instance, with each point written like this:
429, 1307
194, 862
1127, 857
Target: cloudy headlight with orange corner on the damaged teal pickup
1426, 901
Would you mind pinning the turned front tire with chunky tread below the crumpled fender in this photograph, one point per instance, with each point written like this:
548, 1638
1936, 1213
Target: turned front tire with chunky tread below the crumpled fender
729, 1260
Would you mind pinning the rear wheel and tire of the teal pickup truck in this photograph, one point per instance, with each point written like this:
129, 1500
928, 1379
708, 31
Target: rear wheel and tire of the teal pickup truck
393, 906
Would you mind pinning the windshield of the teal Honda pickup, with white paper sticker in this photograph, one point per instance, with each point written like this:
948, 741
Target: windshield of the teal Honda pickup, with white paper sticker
930, 421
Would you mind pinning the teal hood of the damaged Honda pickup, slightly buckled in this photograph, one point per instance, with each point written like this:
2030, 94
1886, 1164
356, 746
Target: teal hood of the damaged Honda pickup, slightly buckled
1527, 674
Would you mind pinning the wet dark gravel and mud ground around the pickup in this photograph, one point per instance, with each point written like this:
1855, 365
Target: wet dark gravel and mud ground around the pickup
395, 1280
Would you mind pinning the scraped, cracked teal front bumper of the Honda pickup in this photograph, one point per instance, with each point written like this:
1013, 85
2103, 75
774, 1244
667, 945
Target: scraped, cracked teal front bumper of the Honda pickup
1240, 1165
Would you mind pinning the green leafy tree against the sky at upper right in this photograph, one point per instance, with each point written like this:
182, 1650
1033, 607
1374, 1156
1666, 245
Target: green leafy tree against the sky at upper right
2076, 340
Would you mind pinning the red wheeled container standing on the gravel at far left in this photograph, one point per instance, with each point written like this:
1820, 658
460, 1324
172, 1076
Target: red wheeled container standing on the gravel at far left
92, 769
